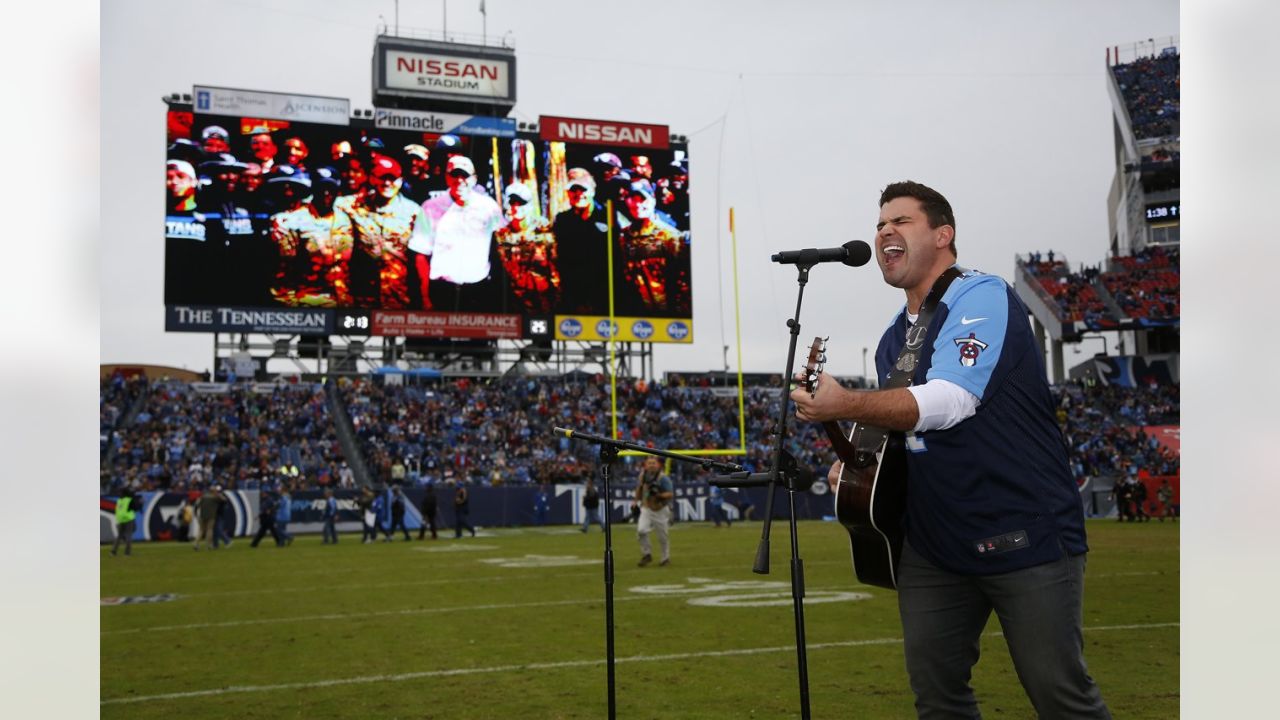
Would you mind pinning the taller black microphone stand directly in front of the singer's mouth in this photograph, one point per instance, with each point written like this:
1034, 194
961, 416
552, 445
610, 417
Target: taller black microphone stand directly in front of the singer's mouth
785, 468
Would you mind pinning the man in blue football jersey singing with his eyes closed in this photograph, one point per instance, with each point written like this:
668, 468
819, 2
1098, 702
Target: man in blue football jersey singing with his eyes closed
994, 521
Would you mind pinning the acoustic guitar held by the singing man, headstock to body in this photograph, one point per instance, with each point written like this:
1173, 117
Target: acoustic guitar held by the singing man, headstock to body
871, 495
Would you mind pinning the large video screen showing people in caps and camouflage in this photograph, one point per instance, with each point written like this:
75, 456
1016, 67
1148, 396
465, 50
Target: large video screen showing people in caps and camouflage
264, 213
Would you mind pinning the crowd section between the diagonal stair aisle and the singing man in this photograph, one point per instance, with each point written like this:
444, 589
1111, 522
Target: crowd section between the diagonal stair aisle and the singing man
502, 432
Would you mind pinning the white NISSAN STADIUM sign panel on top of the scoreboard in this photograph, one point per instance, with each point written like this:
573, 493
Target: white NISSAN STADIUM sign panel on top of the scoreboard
445, 75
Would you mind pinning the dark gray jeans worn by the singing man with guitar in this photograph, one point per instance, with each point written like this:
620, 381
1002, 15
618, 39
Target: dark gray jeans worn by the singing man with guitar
1040, 612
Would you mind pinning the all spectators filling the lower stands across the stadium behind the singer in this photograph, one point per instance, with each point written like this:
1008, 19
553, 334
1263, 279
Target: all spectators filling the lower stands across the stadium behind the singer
501, 432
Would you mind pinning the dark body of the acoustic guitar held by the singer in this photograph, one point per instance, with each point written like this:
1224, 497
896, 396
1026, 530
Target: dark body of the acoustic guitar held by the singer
871, 499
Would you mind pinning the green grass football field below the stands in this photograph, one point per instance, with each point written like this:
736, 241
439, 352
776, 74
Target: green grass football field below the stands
431, 630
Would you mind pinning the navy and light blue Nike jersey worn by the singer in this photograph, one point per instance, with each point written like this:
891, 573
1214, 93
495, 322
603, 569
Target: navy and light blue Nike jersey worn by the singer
993, 494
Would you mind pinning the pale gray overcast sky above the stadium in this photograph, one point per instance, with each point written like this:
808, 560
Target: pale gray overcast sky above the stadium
799, 113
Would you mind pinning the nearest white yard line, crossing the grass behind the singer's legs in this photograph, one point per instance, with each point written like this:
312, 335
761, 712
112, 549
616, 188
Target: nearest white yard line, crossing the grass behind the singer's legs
403, 677
